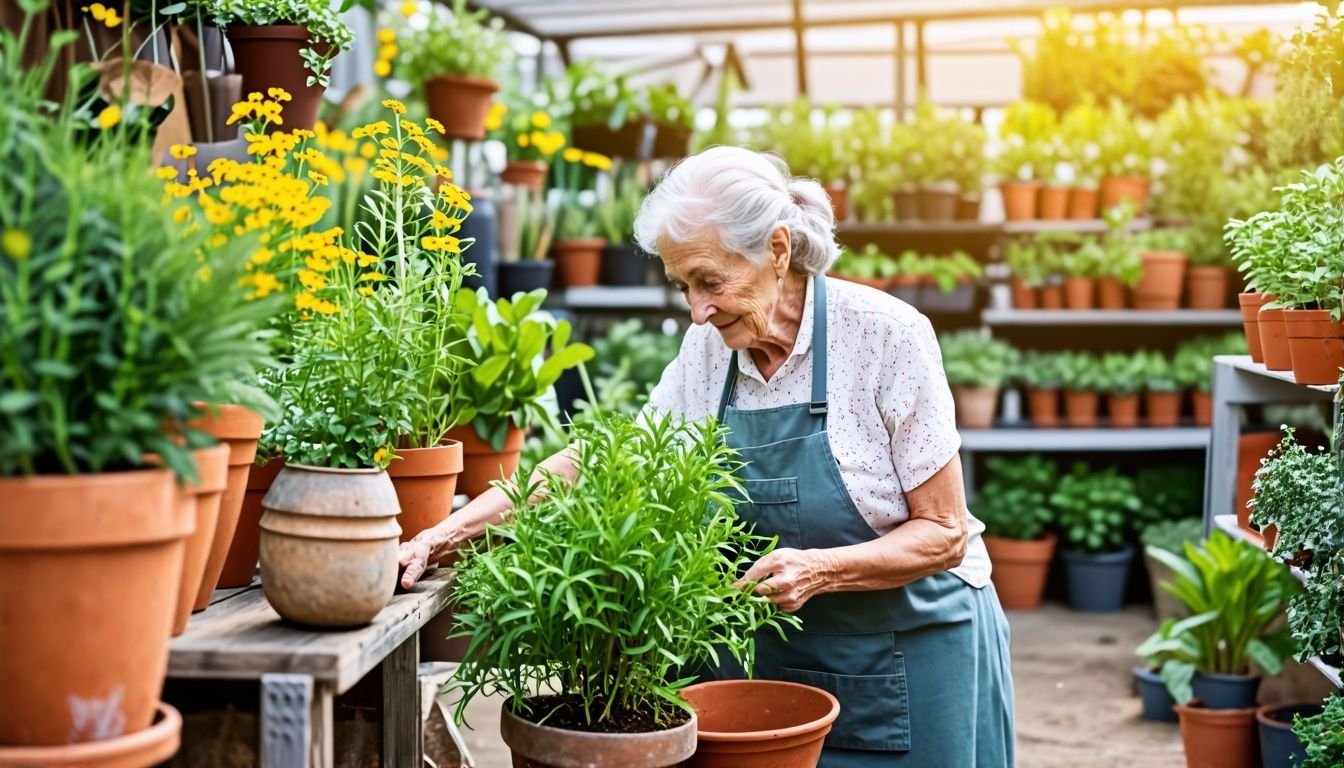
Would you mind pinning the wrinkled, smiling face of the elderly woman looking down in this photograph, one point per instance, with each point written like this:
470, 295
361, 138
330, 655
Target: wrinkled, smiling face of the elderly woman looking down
726, 290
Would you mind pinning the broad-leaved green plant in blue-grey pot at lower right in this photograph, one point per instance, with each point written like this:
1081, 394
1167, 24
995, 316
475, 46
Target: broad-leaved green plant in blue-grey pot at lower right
1234, 594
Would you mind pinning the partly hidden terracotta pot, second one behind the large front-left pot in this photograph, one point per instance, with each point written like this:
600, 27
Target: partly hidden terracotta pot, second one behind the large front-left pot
240, 430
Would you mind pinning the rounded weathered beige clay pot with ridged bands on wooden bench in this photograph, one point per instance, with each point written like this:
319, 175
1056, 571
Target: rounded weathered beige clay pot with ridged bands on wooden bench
329, 545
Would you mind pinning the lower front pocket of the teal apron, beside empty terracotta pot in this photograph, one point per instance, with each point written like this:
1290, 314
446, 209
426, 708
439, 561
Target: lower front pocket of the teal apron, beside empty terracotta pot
874, 709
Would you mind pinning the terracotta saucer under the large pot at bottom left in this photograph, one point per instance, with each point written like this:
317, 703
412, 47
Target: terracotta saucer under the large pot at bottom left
139, 750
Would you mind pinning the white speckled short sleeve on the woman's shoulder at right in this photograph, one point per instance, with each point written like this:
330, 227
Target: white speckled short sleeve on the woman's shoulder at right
917, 406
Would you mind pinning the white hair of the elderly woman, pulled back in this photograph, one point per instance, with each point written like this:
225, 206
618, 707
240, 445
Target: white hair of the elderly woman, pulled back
744, 196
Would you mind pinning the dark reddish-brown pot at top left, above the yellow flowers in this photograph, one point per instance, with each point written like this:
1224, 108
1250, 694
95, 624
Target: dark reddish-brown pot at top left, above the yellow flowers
268, 57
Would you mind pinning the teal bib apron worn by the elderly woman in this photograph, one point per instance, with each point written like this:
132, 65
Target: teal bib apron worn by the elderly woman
923, 670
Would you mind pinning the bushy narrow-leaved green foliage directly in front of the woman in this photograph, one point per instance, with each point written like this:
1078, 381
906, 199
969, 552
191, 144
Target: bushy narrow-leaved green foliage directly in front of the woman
605, 590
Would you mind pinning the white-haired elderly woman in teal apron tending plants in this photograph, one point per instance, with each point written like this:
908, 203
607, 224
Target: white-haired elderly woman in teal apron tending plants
838, 404
